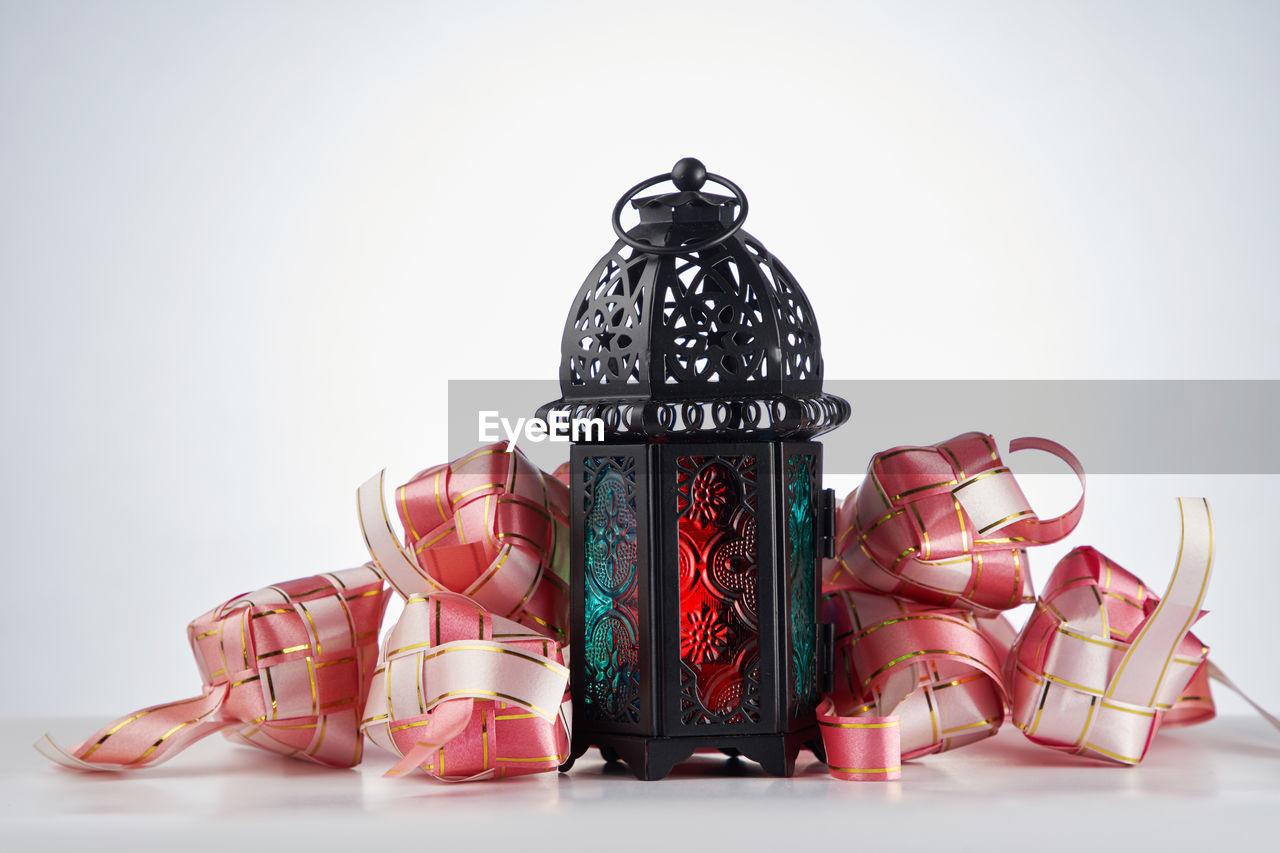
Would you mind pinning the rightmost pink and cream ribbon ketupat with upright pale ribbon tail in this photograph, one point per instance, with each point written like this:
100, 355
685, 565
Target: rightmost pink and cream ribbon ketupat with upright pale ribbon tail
1103, 660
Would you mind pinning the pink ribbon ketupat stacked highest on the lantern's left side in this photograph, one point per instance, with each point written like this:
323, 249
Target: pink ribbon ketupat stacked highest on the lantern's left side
490, 526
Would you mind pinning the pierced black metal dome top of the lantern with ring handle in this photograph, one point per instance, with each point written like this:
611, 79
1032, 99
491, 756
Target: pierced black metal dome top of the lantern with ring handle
689, 329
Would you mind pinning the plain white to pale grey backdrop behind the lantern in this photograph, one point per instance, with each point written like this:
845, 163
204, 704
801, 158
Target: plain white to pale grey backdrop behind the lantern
244, 248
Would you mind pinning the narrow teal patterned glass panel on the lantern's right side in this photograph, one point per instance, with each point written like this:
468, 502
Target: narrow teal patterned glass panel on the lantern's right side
802, 567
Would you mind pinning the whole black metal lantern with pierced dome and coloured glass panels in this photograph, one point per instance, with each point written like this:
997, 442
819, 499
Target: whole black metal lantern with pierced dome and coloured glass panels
700, 522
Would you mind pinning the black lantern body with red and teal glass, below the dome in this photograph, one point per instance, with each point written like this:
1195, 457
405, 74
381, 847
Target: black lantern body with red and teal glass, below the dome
696, 601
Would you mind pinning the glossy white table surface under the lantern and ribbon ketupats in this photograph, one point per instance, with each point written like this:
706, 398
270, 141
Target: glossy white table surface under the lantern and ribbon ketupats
1213, 787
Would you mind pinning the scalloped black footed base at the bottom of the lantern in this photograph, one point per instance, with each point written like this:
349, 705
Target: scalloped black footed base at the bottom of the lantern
652, 759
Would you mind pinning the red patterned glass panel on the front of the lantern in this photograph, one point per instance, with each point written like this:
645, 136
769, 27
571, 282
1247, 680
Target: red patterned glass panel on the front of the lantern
720, 658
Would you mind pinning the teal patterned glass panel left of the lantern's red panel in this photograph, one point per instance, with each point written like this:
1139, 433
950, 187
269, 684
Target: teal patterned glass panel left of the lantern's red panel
612, 621
